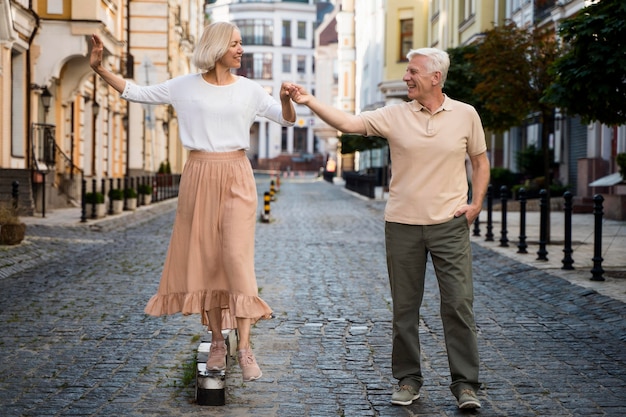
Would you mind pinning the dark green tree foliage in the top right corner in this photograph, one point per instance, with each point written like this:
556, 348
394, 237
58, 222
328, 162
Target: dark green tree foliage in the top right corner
590, 76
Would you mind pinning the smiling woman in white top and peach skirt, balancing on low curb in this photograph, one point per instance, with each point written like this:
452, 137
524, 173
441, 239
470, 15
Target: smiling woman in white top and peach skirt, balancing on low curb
209, 268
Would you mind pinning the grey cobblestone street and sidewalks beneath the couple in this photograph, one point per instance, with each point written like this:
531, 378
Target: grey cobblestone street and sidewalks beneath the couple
75, 340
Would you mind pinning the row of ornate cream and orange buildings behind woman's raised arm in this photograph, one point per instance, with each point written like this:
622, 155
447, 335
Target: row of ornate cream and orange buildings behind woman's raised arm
60, 123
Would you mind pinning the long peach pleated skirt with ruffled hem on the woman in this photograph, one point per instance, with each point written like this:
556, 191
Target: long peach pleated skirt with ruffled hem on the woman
210, 259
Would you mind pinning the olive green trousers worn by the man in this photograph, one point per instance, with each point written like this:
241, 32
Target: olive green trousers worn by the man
407, 248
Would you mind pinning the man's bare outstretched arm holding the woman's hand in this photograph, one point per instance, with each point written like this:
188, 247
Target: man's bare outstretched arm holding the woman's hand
336, 118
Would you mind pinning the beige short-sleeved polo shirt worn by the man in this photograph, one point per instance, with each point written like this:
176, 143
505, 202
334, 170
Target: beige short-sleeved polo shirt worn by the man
428, 177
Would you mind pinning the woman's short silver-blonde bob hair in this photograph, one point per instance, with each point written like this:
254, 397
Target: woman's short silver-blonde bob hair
213, 45
